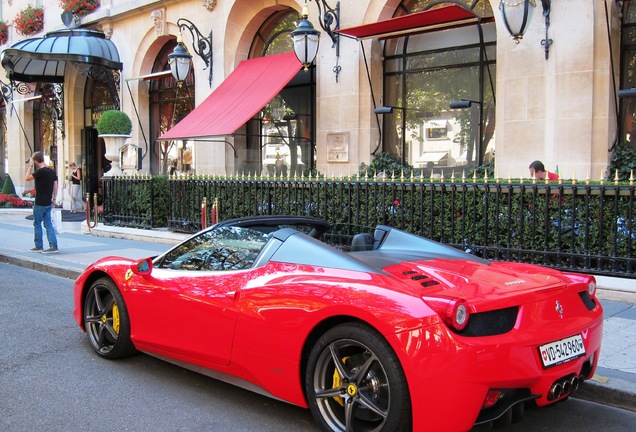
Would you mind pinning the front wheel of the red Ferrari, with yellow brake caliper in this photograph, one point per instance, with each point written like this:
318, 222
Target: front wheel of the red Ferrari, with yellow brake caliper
106, 320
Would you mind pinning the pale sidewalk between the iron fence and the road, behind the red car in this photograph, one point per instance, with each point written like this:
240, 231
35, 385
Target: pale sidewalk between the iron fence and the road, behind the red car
613, 384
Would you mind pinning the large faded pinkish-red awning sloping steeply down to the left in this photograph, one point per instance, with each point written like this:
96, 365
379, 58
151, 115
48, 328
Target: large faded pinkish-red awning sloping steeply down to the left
244, 93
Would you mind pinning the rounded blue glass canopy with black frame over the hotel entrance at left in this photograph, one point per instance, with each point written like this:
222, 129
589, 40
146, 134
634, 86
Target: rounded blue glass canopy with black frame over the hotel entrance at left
44, 59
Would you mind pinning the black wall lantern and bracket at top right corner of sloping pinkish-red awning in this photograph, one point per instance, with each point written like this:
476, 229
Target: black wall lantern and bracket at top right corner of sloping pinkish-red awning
306, 38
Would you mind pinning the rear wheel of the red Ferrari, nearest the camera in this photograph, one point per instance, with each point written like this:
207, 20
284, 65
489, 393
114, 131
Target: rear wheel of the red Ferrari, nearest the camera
354, 382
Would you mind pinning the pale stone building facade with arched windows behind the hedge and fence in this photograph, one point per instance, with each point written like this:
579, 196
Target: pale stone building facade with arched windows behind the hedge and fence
558, 104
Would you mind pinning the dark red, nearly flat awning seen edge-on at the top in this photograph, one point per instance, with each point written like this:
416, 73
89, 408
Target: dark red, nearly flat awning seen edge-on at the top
431, 19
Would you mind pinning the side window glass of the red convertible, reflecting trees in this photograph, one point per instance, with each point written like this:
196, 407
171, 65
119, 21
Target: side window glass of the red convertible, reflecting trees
224, 248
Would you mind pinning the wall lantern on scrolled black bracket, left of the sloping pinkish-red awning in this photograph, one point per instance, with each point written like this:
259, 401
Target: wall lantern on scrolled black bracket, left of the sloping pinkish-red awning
180, 59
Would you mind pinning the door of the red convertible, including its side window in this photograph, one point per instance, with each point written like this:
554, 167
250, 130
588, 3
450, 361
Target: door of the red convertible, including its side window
186, 307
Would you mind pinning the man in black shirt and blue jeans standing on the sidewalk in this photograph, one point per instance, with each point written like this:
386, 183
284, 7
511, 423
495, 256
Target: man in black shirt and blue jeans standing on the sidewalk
45, 194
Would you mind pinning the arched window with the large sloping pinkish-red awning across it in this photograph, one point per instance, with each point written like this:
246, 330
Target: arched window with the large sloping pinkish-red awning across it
280, 140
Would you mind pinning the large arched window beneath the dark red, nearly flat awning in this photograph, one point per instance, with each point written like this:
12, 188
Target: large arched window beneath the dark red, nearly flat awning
424, 73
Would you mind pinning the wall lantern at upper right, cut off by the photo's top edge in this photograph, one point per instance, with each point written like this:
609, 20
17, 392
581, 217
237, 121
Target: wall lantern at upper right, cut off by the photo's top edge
517, 15
